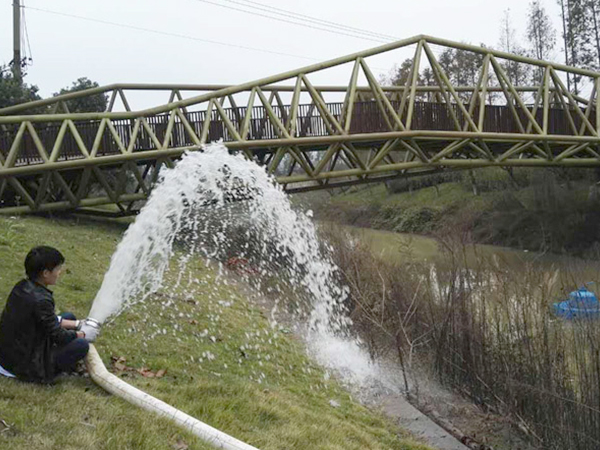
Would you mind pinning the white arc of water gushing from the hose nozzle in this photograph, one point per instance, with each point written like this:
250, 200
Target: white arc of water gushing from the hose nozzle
190, 203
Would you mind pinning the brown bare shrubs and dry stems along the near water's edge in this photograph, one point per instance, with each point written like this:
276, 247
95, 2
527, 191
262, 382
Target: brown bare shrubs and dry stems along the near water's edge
486, 329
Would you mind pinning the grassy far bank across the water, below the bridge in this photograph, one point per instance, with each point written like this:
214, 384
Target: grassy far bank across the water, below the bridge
535, 209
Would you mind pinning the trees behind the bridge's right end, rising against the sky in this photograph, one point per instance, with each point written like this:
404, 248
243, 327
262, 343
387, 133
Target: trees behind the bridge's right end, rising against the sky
580, 42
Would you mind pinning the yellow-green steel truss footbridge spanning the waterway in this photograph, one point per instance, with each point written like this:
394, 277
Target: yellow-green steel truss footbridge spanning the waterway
308, 136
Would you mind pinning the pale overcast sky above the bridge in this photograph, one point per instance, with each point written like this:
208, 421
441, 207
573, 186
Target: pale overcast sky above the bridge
64, 48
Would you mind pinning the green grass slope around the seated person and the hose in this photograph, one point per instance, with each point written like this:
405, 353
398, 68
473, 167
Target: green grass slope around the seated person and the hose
225, 365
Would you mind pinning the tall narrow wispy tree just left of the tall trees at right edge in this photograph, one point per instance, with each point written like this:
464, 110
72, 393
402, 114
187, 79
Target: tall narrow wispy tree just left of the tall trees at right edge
540, 34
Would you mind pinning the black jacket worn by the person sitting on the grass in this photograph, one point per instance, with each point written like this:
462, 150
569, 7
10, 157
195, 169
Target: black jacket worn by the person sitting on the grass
29, 329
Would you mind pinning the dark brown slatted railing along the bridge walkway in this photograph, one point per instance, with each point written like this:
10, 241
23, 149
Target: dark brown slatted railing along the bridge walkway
366, 118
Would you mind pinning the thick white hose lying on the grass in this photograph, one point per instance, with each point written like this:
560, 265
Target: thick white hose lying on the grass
118, 387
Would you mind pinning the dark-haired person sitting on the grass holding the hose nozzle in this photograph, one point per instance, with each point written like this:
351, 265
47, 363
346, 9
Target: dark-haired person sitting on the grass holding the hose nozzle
35, 343
